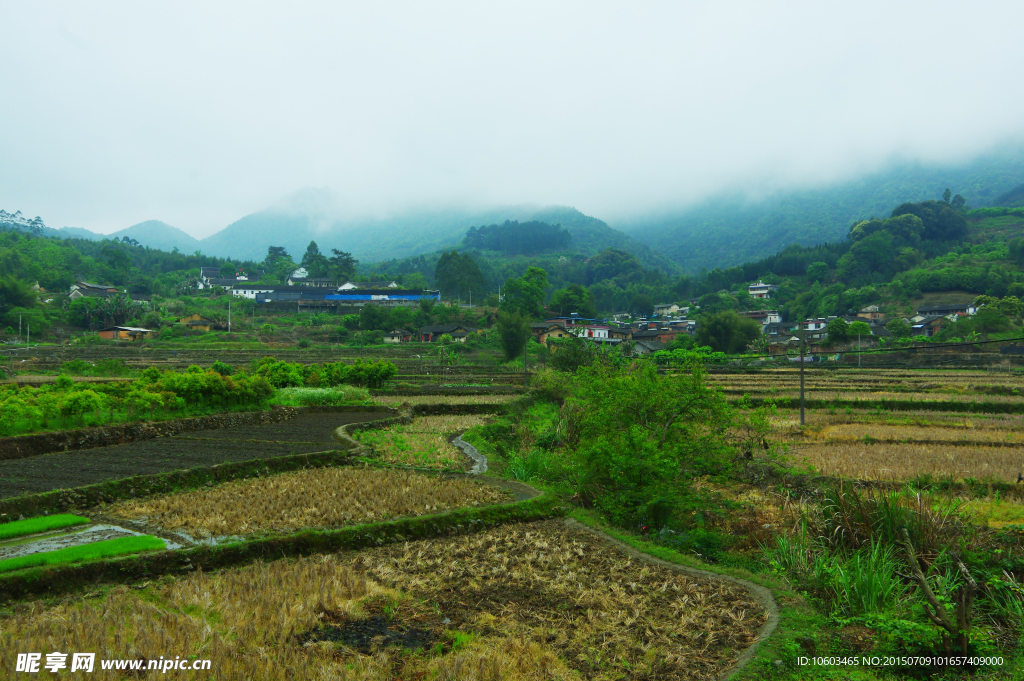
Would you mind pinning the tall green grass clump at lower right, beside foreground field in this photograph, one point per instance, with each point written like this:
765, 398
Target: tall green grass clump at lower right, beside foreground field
888, 560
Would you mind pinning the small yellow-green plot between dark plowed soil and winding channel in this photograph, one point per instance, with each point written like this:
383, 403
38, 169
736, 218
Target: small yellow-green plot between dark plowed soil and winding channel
423, 444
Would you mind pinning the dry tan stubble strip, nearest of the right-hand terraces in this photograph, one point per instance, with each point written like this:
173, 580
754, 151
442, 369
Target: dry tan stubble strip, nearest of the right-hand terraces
902, 462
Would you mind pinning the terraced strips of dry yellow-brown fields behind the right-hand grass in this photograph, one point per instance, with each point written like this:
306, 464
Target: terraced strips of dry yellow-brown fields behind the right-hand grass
890, 440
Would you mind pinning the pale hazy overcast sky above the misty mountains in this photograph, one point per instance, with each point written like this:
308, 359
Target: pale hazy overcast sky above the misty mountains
199, 113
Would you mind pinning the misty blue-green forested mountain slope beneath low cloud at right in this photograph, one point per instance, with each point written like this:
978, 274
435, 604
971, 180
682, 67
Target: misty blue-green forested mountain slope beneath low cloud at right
732, 229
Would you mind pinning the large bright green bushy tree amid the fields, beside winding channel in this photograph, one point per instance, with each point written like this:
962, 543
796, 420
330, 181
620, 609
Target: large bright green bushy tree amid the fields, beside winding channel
643, 438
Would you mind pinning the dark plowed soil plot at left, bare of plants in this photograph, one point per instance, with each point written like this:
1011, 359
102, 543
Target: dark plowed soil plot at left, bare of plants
310, 433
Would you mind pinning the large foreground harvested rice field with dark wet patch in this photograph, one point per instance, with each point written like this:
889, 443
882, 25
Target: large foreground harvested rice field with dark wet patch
530, 602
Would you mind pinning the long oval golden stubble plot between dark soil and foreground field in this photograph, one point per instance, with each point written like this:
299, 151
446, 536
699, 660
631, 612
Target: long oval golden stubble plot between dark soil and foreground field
318, 498
